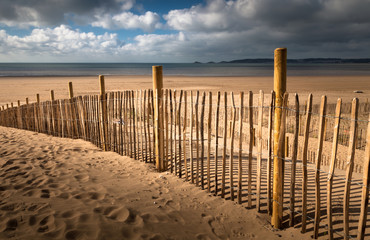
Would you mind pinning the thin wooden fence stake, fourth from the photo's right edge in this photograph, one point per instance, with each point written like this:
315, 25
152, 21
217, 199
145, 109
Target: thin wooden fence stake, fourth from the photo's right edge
320, 141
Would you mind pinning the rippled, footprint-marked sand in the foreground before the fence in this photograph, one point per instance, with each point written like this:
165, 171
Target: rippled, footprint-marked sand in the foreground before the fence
54, 188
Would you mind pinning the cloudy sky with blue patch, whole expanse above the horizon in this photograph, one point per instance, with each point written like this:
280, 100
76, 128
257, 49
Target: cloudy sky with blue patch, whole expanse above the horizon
166, 31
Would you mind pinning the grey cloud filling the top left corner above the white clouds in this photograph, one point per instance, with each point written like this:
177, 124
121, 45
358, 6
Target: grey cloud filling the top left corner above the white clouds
54, 12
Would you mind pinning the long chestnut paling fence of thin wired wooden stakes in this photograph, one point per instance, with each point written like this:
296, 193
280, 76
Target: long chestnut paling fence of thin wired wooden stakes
223, 143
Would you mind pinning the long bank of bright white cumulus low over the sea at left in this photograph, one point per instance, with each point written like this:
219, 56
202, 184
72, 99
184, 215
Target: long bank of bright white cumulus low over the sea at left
56, 42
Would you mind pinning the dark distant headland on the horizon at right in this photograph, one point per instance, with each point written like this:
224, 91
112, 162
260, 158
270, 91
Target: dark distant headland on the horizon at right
304, 60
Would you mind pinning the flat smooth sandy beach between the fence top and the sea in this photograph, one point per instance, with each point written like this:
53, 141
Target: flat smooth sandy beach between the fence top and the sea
13, 89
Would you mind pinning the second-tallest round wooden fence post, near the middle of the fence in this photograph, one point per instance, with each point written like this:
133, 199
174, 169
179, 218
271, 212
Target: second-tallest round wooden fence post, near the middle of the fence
161, 164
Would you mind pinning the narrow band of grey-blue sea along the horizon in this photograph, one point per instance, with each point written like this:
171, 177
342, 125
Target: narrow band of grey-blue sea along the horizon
183, 69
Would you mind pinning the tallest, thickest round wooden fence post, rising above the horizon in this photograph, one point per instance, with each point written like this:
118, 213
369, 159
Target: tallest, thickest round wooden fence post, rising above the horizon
280, 59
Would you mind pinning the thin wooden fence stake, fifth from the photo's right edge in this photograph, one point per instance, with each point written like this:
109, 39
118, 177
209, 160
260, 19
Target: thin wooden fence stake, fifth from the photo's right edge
304, 162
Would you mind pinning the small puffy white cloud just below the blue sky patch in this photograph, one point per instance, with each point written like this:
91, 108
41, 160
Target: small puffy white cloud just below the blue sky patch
127, 20
